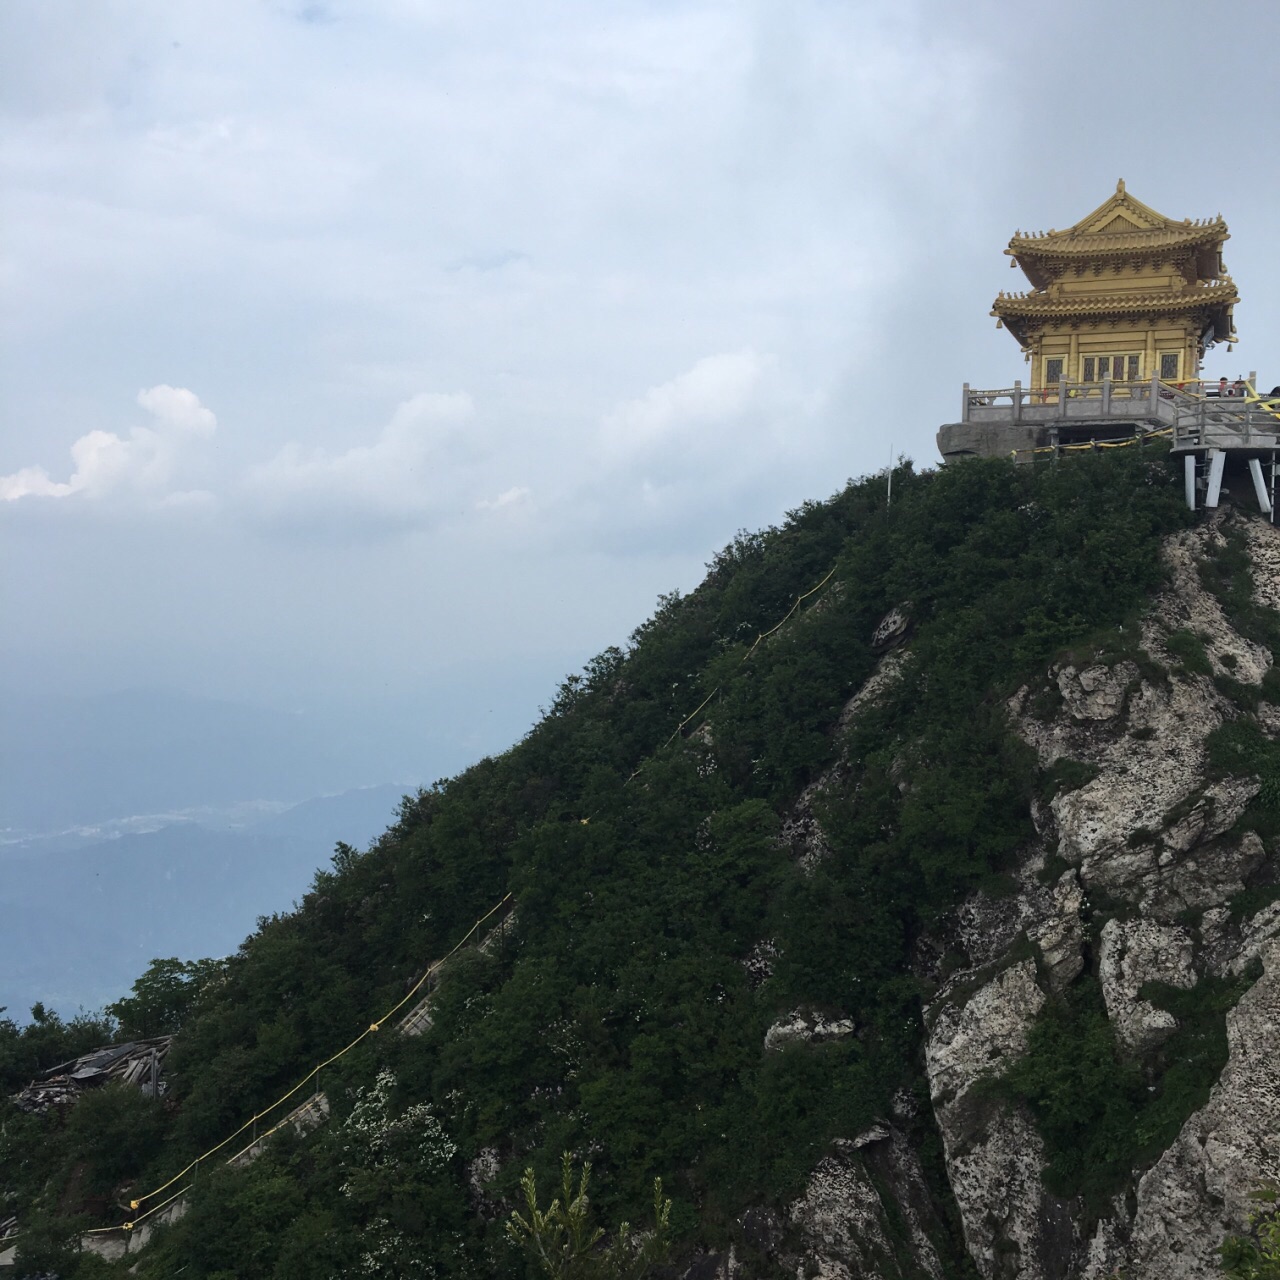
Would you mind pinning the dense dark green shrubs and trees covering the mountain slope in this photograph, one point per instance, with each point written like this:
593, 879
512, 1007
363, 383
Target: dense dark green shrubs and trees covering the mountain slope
618, 1018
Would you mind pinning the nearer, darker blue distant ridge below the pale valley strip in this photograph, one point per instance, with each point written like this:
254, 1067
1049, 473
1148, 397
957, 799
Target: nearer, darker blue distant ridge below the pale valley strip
81, 918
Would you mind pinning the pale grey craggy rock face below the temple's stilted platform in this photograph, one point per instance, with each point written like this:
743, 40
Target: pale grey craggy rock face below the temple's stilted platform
1159, 842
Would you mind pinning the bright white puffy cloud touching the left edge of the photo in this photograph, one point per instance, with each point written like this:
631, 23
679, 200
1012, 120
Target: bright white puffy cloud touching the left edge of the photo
144, 465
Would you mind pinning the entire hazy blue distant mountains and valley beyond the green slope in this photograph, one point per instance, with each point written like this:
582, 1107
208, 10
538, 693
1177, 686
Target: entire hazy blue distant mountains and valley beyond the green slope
150, 822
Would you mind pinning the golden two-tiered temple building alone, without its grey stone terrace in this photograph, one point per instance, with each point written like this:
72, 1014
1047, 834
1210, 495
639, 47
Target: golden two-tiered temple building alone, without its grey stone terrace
1124, 295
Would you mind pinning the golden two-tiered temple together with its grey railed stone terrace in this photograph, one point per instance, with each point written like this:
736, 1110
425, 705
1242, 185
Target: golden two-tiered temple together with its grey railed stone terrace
1122, 309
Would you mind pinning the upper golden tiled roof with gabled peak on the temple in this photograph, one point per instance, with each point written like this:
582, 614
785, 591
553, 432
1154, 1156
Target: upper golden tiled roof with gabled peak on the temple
1122, 227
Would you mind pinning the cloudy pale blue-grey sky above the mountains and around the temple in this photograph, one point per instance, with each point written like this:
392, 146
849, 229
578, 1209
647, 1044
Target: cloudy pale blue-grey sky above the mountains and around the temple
386, 359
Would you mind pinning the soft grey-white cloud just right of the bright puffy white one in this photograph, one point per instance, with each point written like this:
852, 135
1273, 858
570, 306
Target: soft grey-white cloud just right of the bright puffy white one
404, 478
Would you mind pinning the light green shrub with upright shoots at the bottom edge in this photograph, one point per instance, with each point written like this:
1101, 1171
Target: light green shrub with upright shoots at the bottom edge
565, 1242
